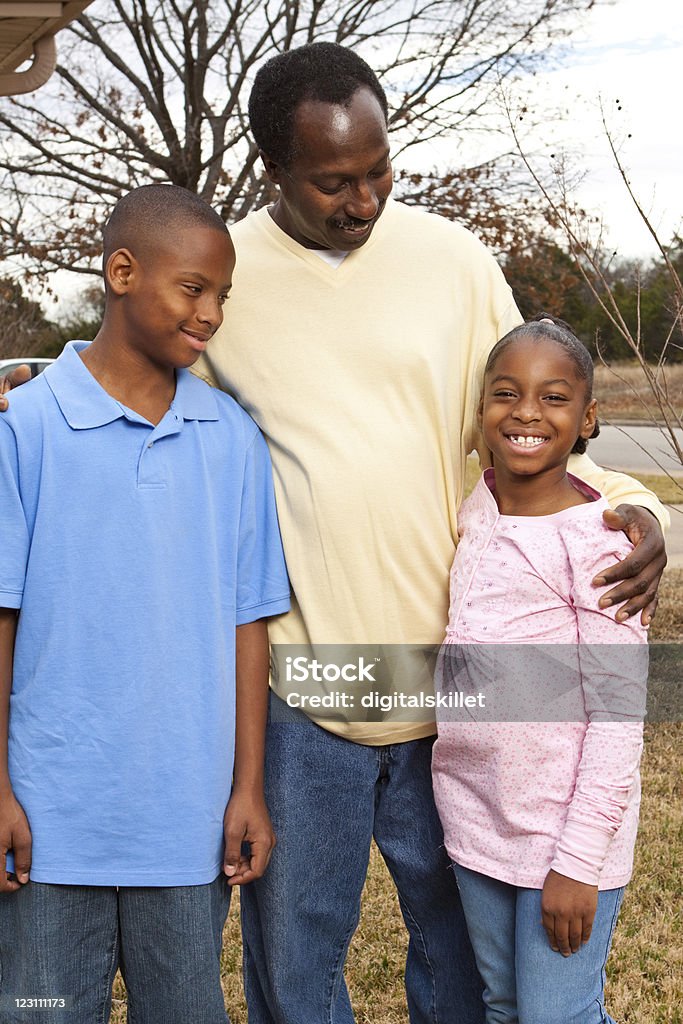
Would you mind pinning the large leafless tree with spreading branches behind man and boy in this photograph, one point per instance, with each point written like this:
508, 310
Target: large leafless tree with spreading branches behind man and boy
156, 91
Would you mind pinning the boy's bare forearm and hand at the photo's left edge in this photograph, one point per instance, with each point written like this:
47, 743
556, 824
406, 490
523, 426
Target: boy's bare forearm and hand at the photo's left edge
15, 831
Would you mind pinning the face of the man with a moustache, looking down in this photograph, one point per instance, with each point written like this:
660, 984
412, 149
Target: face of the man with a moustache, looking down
335, 189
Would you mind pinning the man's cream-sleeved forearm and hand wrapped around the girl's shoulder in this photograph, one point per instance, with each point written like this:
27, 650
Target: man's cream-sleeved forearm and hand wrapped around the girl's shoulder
641, 515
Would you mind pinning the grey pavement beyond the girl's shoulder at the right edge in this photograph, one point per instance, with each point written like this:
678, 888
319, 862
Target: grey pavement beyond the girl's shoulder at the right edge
644, 450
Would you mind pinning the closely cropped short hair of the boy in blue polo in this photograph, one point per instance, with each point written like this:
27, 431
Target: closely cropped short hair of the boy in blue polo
152, 214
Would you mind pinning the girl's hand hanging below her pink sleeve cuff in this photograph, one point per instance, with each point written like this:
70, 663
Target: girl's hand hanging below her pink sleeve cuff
568, 910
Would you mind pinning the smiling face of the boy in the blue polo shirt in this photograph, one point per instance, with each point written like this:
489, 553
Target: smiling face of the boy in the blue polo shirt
176, 296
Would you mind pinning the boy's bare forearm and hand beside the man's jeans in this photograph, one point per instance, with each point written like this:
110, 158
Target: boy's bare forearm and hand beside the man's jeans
247, 819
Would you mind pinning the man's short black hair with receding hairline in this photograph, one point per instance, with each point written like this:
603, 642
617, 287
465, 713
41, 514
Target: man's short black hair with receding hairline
324, 72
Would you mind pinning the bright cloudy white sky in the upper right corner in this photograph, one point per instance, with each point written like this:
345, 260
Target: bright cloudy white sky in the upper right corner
626, 59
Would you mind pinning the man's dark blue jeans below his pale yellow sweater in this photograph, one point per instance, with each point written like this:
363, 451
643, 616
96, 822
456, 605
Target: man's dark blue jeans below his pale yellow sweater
328, 798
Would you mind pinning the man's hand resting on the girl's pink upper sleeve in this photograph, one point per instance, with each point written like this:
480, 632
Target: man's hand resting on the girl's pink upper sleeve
642, 570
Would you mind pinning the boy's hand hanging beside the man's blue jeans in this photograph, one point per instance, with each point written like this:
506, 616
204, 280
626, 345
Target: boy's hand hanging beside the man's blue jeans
247, 821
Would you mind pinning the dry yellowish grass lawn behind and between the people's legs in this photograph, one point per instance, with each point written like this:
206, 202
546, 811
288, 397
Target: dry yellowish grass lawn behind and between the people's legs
646, 970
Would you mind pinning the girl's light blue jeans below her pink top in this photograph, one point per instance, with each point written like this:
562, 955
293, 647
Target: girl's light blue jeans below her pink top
525, 982
